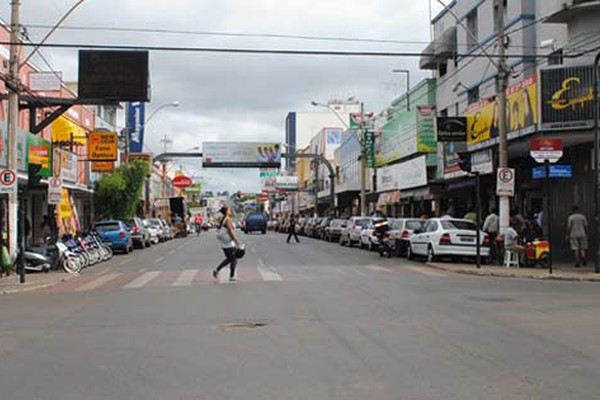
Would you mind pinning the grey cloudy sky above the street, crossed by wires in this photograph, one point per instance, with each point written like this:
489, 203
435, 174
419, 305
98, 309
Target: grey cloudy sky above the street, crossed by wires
241, 97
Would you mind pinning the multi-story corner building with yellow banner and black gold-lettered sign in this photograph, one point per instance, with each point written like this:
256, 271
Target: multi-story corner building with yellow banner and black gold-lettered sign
542, 37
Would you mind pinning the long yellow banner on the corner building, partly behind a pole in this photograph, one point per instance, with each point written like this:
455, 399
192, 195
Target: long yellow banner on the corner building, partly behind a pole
483, 117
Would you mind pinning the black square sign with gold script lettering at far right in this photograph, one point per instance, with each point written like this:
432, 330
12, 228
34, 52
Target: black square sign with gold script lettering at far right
567, 97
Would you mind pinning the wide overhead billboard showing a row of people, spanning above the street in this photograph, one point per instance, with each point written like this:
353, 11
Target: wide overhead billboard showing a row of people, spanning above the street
241, 155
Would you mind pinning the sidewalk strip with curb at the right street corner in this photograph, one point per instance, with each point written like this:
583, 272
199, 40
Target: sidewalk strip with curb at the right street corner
562, 272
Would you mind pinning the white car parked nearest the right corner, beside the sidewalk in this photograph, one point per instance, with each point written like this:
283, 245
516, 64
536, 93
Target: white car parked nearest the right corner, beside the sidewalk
450, 237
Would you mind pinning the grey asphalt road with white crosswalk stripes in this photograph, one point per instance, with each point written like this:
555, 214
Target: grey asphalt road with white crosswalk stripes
305, 321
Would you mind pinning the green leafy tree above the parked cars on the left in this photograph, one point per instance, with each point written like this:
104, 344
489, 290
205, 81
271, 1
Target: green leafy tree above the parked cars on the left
117, 195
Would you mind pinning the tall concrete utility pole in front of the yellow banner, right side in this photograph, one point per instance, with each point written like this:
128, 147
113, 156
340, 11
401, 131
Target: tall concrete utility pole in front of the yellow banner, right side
504, 201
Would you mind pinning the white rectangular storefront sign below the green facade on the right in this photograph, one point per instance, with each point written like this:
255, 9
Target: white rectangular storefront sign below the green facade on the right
406, 175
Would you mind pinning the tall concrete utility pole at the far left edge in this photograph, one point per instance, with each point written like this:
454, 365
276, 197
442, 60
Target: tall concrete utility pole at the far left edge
13, 119
